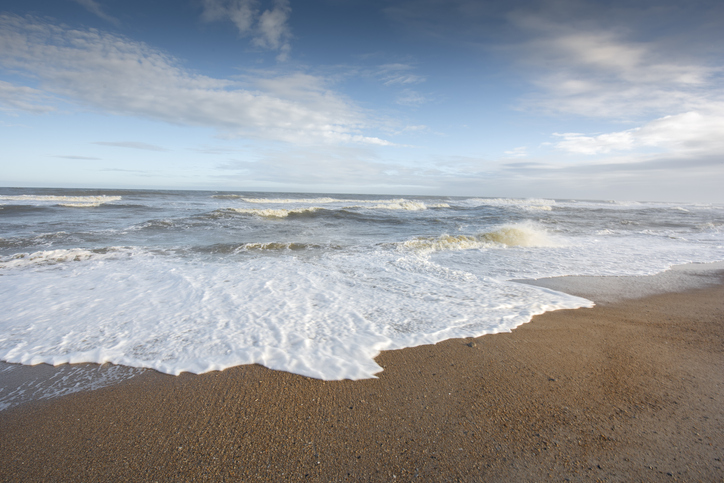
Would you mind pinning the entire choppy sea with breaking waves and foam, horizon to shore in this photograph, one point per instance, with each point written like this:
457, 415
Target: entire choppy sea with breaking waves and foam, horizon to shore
312, 284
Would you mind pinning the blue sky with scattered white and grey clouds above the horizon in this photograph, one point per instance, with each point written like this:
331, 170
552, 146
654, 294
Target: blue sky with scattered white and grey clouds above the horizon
565, 99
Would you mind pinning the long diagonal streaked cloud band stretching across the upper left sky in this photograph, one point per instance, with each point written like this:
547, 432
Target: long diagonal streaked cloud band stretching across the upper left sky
124, 77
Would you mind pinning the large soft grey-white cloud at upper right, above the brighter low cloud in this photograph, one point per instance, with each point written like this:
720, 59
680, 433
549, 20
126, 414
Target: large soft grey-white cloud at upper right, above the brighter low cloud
587, 70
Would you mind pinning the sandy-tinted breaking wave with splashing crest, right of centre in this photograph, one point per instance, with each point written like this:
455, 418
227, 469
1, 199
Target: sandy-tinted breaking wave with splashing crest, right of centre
518, 235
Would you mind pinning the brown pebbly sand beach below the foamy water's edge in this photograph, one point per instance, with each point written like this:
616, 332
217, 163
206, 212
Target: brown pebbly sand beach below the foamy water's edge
630, 390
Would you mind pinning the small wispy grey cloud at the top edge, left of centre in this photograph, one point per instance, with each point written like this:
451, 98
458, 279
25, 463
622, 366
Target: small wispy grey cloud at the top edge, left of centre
269, 28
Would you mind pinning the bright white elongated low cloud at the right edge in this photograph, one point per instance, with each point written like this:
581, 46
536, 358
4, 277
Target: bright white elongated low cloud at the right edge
691, 134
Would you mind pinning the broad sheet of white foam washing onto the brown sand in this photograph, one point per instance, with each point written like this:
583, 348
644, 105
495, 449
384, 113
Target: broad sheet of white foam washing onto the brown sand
325, 318
